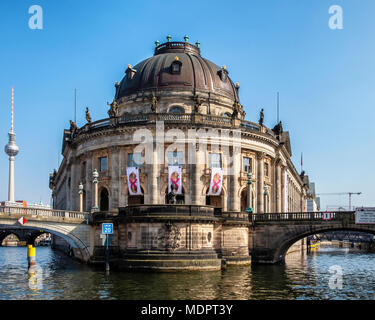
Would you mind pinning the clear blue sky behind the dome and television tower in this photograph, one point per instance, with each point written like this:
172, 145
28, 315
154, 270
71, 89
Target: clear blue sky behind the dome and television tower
325, 77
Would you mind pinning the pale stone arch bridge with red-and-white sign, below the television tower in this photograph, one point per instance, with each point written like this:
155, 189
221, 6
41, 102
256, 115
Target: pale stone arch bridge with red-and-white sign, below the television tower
73, 227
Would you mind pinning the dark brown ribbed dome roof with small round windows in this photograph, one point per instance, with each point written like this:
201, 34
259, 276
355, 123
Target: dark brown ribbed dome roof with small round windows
177, 66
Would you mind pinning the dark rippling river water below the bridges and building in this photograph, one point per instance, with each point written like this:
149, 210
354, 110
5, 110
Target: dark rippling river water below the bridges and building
302, 277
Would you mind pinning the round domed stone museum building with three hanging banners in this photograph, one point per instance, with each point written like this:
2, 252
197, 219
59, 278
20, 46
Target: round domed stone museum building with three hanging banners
176, 167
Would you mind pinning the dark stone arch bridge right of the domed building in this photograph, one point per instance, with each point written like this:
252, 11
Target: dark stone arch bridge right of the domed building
273, 234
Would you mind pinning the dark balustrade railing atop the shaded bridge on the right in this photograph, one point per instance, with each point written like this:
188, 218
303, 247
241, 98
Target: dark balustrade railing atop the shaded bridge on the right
303, 216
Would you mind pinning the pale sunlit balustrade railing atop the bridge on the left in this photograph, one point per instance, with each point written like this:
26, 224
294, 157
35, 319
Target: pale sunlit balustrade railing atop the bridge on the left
41, 212
